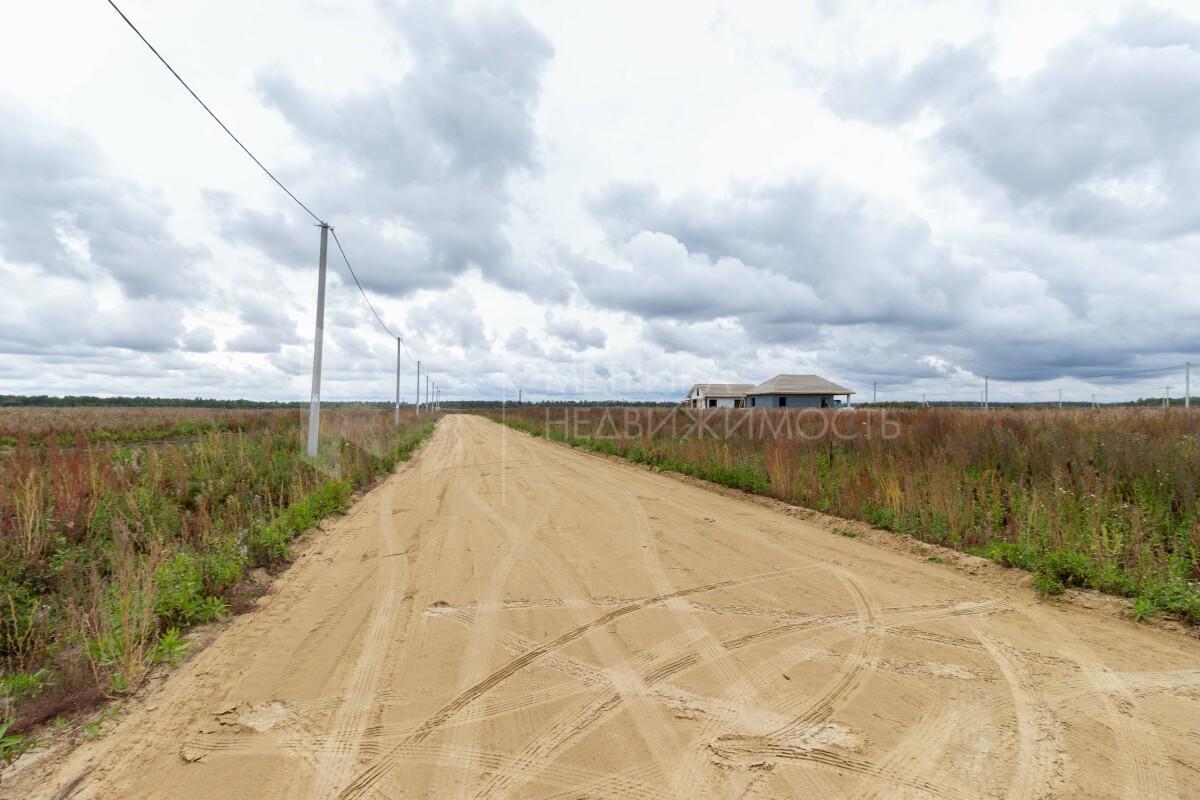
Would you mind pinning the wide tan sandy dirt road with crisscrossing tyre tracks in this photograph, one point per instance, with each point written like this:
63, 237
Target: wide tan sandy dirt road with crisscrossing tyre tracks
511, 618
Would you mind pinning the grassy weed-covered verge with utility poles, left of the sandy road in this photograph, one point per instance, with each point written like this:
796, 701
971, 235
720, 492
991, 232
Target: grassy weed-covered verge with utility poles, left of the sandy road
115, 539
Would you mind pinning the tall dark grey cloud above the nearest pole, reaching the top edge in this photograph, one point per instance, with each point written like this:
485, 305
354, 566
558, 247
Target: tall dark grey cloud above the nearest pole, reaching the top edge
429, 158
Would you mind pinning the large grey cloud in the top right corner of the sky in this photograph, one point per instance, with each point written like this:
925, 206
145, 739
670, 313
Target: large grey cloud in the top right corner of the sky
1103, 140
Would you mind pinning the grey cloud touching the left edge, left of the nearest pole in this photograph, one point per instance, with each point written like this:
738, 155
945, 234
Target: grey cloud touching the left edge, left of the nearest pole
63, 212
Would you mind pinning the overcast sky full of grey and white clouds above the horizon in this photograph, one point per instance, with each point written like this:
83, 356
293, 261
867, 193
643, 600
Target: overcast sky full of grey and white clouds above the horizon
603, 200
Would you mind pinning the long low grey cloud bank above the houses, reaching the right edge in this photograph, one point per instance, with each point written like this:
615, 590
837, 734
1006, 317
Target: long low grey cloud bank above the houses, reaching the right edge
813, 267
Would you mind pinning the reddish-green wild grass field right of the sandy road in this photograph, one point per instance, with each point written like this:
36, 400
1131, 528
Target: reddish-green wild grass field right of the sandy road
1102, 500
